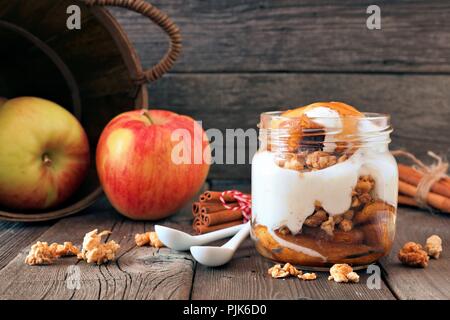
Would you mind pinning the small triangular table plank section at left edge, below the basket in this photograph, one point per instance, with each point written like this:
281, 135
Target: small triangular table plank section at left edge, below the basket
16, 236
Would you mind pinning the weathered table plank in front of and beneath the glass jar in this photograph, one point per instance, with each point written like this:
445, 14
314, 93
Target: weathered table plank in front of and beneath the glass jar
245, 277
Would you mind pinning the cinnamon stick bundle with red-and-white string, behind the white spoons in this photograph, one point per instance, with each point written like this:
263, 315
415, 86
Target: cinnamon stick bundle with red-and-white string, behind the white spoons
211, 215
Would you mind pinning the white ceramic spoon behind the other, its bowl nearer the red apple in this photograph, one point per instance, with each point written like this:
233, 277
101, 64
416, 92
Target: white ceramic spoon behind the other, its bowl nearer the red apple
181, 241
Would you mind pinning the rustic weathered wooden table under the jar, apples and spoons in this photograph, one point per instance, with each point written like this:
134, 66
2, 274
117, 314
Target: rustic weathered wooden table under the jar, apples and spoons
148, 273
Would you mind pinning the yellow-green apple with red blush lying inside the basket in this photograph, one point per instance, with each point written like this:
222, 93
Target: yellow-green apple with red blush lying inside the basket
44, 154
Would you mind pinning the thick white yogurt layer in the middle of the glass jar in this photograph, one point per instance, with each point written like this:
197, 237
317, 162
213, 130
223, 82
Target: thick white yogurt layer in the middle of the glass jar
284, 197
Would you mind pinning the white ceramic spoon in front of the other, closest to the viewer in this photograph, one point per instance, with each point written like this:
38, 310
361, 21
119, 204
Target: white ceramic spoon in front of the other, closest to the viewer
217, 256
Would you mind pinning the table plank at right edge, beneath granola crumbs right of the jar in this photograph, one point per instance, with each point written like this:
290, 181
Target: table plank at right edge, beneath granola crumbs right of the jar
432, 282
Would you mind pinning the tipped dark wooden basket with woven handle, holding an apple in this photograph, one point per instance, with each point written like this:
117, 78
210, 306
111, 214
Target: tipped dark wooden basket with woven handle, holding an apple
94, 72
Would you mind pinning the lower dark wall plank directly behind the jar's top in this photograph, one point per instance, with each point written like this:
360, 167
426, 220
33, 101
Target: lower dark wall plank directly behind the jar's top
419, 104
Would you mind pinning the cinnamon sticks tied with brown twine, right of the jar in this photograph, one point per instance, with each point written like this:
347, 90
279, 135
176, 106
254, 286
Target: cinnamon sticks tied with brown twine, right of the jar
438, 197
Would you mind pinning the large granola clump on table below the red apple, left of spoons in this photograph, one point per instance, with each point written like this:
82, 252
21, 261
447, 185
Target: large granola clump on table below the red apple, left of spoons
94, 251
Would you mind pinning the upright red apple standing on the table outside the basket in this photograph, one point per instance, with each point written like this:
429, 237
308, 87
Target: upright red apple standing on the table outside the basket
138, 166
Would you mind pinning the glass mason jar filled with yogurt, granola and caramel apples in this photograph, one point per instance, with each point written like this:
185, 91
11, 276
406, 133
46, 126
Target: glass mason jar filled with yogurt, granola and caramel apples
326, 194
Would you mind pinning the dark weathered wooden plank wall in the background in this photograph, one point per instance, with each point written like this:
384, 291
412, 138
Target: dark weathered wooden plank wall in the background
243, 57
